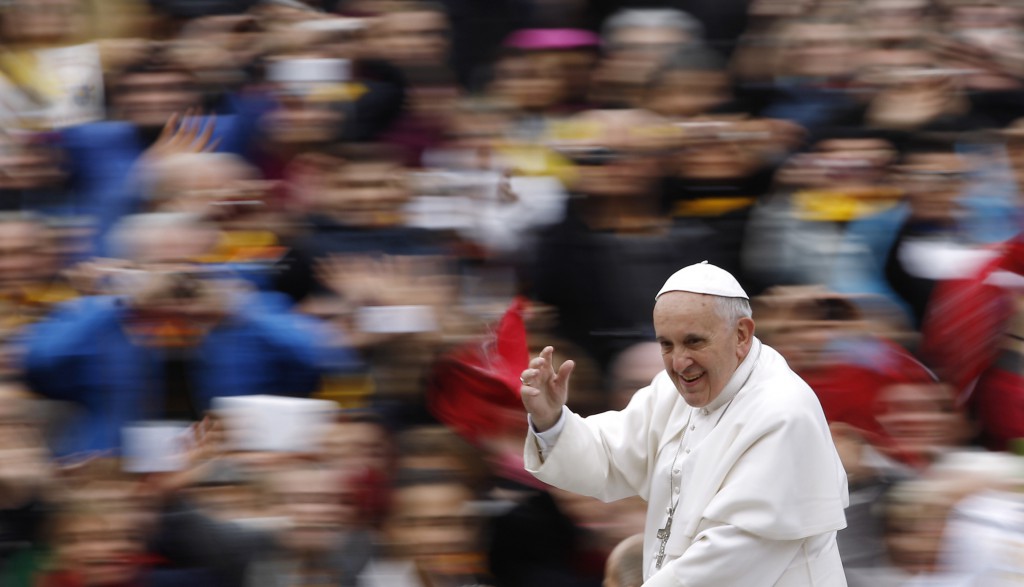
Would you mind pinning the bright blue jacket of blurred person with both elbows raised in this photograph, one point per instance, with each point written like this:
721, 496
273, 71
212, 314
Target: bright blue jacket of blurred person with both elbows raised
83, 355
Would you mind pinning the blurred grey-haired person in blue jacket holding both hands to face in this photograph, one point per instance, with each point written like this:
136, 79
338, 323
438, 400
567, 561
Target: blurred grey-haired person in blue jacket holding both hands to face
164, 334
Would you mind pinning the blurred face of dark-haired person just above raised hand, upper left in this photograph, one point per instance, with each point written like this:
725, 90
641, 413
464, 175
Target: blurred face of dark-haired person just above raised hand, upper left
150, 99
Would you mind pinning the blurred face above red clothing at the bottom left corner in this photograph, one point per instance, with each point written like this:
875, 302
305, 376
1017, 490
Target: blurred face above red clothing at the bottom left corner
102, 549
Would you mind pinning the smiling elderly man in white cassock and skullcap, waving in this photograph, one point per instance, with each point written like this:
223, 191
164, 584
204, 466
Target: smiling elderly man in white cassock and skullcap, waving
729, 446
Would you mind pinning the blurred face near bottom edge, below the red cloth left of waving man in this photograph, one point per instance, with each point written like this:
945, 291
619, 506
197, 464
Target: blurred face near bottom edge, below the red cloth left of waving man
431, 521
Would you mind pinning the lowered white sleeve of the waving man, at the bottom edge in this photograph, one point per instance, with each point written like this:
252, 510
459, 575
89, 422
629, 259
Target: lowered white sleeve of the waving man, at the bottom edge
728, 556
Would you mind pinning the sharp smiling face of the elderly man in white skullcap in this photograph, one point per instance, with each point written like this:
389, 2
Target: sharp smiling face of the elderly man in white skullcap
700, 349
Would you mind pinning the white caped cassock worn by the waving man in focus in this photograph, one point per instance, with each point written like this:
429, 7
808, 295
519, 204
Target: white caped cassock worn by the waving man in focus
758, 486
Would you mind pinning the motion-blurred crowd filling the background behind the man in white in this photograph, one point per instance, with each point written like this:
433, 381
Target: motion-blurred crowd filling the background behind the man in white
270, 271
